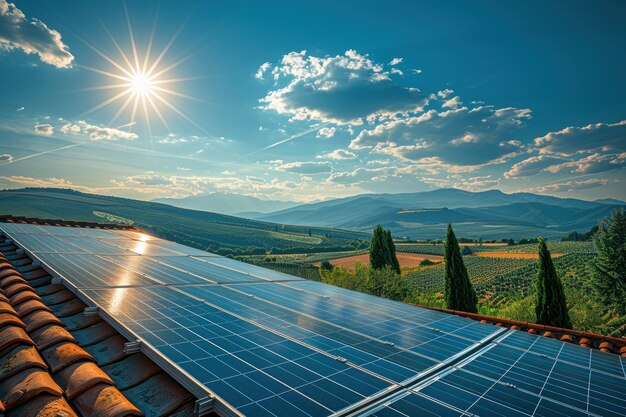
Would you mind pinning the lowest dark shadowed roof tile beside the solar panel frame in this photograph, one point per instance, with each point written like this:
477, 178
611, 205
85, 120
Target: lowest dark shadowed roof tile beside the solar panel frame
159, 393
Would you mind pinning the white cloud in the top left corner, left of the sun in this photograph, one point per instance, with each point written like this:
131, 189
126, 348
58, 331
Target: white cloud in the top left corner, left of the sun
32, 37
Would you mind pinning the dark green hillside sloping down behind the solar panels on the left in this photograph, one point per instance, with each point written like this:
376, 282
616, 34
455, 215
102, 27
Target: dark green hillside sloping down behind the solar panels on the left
211, 231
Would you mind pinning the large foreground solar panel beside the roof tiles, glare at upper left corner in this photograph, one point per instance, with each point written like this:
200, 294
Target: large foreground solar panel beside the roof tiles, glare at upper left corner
252, 369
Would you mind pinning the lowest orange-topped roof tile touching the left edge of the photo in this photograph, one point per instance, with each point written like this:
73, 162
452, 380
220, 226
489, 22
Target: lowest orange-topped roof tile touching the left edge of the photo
27, 384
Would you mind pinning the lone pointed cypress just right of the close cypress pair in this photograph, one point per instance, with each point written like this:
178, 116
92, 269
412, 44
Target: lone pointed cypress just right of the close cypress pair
458, 290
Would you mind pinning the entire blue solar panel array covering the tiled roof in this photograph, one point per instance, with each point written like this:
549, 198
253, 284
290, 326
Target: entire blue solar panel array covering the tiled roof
264, 343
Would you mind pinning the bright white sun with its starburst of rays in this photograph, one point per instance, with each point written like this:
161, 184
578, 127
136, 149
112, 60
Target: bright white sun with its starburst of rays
142, 85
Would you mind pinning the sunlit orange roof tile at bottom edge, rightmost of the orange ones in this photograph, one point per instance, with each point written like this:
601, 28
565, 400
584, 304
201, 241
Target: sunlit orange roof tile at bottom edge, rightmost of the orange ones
105, 400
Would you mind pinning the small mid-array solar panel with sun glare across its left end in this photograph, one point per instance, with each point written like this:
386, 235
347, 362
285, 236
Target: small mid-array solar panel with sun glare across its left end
158, 271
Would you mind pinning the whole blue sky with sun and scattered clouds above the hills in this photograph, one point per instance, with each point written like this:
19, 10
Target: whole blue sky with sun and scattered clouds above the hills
304, 102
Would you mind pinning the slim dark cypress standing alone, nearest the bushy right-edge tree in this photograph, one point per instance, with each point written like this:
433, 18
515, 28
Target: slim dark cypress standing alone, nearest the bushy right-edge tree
550, 303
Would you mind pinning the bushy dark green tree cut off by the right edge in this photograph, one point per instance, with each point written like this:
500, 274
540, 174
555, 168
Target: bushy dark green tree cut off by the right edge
609, 277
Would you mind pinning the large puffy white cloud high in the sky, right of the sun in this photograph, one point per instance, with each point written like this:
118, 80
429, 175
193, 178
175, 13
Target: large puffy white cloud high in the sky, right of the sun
343, 89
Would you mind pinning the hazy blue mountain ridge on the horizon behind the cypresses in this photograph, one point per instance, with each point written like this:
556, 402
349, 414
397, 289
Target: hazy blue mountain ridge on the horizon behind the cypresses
488, 214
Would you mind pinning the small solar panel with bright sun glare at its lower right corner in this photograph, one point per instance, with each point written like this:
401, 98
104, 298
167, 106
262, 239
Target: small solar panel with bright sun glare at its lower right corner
86, 270
